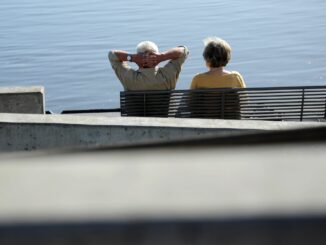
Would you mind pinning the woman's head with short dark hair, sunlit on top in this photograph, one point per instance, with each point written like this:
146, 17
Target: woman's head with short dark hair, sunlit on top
217, 52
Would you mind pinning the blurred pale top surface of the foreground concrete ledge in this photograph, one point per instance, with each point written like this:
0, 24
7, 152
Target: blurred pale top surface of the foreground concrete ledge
190, 182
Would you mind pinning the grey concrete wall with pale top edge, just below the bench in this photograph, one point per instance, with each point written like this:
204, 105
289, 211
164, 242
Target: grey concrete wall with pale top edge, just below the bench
20, 132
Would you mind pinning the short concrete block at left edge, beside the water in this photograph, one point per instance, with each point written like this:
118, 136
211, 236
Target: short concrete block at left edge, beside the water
22, 100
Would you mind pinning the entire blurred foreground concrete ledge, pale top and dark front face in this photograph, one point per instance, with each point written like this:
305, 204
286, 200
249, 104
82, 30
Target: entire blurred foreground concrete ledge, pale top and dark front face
219, 194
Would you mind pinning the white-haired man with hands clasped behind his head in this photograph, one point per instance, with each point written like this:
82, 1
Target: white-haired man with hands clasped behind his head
149, 76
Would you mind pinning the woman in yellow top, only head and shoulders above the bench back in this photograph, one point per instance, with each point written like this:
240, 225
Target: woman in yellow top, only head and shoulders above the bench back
217, 54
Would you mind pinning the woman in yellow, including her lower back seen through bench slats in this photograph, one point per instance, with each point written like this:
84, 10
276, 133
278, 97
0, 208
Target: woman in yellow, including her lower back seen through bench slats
217, 54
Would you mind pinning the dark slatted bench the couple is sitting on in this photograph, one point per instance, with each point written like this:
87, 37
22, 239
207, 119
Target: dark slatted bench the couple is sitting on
305, 103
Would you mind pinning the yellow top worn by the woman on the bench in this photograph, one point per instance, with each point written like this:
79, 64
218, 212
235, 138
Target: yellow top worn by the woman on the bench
209, 80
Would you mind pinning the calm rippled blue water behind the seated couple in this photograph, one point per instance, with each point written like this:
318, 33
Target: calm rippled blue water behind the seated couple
62, 45
